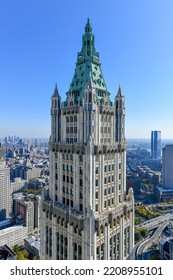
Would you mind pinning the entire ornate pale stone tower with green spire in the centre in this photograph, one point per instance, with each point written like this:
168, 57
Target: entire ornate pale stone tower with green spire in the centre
87, 213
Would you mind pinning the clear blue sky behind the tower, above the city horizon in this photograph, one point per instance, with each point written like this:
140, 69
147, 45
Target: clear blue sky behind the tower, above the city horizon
39, 41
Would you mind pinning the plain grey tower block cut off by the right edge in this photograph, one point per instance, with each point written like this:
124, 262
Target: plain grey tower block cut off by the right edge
167, 166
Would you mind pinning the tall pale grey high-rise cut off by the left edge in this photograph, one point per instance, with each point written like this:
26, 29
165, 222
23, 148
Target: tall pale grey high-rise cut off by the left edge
4, 191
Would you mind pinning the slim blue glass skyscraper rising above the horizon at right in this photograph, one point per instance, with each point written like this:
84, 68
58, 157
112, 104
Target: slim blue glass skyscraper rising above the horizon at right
156, 144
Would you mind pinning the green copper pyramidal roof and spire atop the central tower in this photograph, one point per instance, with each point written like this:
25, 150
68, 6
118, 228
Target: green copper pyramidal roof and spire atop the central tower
88, 64
